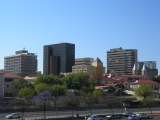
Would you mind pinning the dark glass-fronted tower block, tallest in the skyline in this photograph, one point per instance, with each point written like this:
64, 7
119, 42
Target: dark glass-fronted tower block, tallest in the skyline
58, 58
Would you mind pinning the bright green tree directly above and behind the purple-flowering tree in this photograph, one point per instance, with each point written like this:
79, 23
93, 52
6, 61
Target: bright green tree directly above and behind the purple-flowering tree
39, 88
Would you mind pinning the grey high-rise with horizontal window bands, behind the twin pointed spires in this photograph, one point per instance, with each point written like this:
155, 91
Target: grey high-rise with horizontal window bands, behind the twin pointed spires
121, 60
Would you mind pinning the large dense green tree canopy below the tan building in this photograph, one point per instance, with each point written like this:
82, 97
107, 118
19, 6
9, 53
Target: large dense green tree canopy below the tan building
76, 81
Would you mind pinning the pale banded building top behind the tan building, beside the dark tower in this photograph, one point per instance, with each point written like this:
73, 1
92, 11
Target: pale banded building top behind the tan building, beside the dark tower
84, 61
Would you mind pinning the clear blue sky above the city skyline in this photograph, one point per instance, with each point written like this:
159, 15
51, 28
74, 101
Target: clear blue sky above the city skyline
94, 26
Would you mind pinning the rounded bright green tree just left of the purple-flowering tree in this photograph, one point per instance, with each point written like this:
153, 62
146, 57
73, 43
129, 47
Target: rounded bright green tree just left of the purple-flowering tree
26, 93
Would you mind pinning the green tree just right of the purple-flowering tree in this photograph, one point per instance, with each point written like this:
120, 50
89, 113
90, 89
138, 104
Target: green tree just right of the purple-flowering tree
58, 90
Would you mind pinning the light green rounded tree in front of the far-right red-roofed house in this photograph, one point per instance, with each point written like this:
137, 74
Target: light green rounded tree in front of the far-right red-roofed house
144, 91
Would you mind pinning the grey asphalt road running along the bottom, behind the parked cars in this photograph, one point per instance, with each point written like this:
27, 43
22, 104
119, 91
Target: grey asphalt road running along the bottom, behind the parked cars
53, 114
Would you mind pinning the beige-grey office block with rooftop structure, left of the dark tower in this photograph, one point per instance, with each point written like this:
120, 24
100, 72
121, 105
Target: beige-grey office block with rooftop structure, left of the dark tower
22, 63
